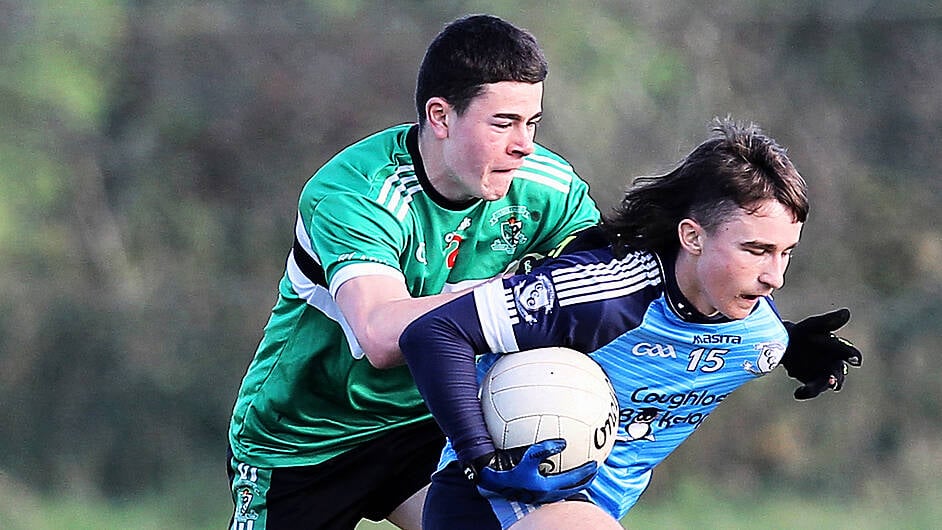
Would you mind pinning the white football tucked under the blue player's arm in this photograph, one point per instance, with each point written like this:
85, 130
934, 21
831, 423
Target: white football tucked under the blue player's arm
546, 393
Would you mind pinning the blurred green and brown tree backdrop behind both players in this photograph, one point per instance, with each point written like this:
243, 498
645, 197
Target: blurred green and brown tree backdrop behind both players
151, 154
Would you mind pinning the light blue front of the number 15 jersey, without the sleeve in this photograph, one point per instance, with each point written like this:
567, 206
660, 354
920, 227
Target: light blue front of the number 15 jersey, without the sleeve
669, 375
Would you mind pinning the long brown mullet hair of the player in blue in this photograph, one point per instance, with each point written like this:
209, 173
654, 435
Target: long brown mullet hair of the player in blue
738, 167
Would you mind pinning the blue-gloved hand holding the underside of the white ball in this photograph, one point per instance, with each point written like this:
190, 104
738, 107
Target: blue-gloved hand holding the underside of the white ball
518, 477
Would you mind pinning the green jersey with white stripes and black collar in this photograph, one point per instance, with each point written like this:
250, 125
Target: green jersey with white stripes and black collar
309, 394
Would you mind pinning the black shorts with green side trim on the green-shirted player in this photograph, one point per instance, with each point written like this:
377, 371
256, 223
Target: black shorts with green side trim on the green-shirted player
367, 482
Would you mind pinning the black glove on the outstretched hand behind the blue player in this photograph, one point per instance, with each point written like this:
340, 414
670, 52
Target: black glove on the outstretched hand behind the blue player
816, 356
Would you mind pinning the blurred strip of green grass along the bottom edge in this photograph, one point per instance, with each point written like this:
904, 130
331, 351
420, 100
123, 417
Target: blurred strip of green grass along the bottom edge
690, 505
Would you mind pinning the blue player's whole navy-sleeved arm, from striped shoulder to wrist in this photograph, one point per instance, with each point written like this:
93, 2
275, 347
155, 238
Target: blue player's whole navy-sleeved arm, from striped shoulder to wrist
508, 315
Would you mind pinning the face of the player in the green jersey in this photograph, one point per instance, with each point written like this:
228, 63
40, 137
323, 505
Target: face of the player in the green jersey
486, 144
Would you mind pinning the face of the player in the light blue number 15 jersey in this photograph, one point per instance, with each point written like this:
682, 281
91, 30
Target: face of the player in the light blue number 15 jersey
743, 259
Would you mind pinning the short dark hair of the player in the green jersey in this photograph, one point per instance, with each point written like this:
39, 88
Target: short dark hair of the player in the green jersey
474, 51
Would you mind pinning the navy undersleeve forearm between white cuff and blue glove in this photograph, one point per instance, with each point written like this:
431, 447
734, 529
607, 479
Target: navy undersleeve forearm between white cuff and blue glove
440, 349
